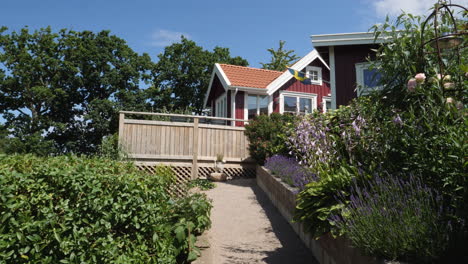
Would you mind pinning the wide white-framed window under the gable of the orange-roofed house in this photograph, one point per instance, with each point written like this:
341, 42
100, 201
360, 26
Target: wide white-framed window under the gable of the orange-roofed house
297, 103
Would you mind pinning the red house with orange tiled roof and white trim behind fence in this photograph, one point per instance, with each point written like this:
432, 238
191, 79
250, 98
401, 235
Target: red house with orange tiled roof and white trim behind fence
243, 92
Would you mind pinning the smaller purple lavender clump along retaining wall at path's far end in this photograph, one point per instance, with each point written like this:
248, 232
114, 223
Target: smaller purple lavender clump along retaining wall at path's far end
289, 170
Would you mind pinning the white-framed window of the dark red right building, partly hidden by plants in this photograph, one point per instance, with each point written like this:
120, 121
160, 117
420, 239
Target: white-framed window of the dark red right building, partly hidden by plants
366, 79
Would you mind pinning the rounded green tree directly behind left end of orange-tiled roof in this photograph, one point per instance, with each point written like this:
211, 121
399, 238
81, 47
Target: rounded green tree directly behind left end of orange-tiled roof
183, 72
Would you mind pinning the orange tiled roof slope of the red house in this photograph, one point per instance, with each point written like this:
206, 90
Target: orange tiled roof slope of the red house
249, 77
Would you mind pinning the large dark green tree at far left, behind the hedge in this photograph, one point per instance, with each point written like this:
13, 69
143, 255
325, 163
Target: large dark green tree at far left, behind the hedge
64, 89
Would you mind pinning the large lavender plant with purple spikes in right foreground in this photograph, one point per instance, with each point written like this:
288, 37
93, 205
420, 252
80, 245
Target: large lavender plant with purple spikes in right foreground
395, 218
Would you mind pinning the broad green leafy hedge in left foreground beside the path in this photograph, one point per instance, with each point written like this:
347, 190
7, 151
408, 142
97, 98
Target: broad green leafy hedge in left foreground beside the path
73, 210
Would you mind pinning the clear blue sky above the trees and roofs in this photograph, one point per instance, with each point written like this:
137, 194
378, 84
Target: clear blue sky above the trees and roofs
247, 27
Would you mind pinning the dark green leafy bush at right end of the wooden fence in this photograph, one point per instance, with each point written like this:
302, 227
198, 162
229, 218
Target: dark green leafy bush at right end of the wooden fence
267, 135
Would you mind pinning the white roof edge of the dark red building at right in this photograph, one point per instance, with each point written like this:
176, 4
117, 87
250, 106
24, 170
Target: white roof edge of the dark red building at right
355, 38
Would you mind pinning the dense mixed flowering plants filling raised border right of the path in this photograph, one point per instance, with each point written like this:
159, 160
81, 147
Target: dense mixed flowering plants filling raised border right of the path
391, 170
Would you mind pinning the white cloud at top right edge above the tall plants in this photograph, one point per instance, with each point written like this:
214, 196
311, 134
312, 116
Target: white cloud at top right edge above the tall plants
416, 7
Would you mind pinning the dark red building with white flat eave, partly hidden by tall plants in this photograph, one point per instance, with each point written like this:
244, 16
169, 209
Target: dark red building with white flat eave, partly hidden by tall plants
347, 55
